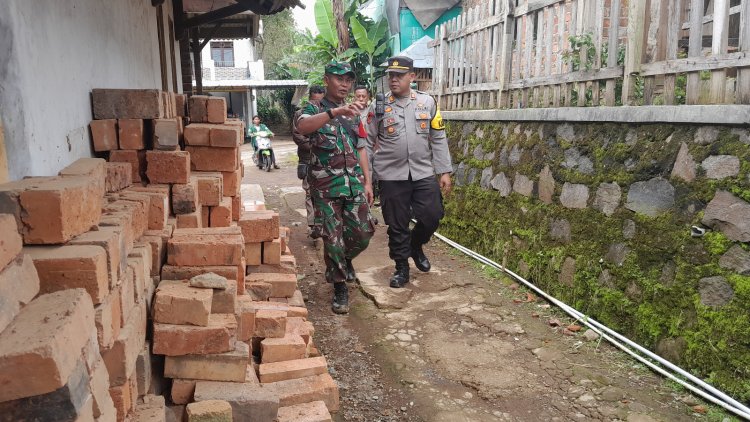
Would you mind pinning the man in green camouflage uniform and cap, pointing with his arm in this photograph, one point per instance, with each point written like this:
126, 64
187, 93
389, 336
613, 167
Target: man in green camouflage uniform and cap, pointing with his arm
339, 178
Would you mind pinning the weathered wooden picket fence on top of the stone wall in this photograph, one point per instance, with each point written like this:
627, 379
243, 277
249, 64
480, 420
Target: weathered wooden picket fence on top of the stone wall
561, 53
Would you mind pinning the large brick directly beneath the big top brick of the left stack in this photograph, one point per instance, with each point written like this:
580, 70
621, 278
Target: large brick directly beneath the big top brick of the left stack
74, 266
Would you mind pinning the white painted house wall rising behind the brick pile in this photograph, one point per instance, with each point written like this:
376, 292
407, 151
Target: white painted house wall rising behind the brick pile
52, 54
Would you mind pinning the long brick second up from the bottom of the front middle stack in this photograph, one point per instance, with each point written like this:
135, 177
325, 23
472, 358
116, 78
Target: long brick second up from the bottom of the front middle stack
229, 366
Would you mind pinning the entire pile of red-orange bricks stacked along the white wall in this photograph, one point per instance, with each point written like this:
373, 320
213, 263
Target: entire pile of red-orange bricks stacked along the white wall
117, 278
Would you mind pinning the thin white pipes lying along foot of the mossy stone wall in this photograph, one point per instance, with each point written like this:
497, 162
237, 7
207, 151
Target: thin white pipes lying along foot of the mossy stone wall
702, 389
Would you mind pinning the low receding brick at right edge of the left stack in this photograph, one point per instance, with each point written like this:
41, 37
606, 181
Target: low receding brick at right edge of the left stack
121, 357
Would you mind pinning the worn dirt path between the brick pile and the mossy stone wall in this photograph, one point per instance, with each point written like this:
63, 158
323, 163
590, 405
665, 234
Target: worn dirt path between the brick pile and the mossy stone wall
459, 343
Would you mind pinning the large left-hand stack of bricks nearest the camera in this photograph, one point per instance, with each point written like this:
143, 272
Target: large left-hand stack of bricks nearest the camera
79, 349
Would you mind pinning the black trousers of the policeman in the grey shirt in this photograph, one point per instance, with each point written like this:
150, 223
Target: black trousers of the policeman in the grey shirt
401, 200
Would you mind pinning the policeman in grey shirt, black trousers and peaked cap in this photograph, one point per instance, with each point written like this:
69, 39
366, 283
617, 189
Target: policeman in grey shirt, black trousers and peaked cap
413, 164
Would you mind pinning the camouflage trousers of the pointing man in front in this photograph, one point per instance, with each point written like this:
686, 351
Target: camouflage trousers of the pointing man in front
347, 227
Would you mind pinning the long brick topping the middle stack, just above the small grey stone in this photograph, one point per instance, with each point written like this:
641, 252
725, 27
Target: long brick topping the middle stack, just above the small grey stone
193, 249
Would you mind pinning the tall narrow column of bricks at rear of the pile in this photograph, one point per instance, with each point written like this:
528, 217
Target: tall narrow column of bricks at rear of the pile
214, 146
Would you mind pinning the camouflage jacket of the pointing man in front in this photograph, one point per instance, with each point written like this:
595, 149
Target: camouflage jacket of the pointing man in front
335, 170
